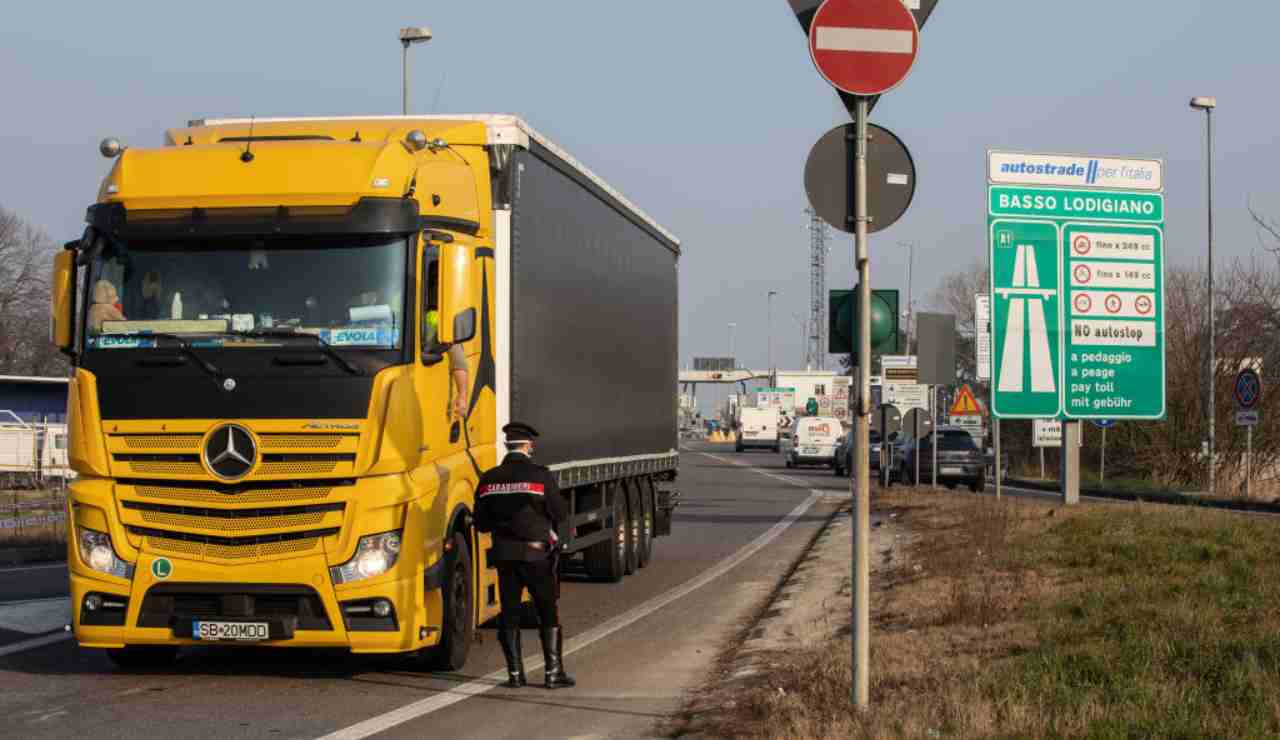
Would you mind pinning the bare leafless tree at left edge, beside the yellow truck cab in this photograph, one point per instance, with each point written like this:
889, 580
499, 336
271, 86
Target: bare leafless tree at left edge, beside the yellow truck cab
26, 254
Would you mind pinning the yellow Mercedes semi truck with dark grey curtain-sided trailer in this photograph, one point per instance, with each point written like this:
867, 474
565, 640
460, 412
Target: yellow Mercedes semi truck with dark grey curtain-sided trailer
260, 317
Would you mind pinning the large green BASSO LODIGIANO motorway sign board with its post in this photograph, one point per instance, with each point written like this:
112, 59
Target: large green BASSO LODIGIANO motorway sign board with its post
1077, 291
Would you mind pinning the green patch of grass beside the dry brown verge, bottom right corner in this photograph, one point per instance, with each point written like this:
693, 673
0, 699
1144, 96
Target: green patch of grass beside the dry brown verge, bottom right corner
1171, 628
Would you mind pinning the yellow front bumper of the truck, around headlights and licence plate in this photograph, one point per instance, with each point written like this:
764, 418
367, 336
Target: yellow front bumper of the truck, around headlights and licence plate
295, 596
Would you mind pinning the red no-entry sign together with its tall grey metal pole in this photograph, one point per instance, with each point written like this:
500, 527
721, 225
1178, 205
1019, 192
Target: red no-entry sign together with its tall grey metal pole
863, 48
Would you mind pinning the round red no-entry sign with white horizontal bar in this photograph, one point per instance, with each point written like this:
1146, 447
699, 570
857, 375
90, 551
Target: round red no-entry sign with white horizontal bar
865, 47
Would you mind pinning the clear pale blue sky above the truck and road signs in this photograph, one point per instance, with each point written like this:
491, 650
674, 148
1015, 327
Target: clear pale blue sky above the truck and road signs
702, 112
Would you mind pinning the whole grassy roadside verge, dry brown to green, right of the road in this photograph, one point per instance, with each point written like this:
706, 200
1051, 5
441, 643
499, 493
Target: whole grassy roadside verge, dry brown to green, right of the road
1026, 620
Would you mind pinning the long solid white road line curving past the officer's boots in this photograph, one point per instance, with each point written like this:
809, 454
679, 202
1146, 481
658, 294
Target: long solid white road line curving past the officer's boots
484, 684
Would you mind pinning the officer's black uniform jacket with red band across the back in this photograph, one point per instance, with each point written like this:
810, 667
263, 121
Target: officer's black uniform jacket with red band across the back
519, 501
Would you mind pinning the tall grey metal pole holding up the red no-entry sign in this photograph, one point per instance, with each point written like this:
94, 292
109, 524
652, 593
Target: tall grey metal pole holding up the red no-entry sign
862, 465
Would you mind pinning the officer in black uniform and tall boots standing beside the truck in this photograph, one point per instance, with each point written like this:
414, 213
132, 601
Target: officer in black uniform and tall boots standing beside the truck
520, 504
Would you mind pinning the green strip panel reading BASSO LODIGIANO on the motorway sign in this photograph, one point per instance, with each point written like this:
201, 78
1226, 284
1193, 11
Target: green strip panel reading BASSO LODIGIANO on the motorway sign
1073, 204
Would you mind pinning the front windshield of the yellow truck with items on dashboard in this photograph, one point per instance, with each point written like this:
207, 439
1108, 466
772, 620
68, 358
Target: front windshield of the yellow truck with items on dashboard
349, 291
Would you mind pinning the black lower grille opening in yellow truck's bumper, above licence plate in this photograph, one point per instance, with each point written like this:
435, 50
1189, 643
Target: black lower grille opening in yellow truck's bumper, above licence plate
167, 604
